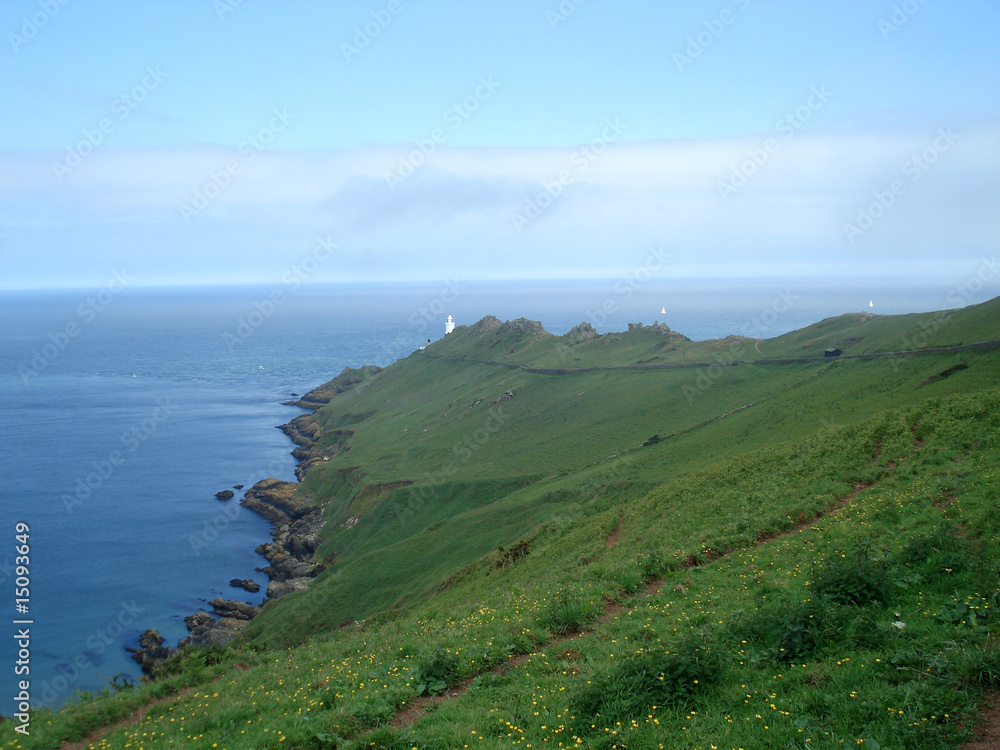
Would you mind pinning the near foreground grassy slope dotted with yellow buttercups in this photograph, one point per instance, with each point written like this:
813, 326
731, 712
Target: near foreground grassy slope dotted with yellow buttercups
723, 564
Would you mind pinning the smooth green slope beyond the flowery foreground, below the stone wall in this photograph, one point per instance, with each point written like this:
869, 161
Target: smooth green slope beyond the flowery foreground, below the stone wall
484, 476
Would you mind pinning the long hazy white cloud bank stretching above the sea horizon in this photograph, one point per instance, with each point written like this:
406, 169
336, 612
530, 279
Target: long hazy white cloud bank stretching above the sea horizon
454, 214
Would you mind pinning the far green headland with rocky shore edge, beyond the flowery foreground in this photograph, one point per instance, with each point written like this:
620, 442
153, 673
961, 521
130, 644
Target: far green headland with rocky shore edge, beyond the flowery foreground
424, 467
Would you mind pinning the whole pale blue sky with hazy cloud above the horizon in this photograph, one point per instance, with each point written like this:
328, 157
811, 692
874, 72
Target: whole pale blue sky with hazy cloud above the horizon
243, 141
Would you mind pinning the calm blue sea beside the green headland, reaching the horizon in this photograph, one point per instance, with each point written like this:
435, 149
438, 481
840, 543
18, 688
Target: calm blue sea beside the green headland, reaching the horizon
124, 409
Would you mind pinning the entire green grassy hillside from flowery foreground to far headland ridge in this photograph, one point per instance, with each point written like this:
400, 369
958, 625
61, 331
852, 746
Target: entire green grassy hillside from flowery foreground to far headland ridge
623, 540
